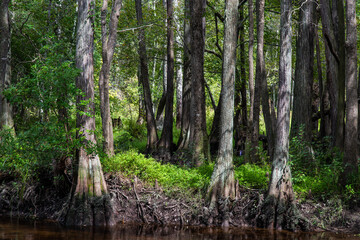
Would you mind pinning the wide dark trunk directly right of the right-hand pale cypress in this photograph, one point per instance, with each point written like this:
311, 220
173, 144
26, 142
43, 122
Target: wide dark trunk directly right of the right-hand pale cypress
302, 112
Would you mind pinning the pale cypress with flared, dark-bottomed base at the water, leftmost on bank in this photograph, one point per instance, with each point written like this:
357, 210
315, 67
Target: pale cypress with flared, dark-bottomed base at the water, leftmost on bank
90, 202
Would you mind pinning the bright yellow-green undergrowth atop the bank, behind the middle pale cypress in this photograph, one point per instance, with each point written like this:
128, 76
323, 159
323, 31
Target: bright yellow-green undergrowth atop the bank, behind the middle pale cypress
131, 163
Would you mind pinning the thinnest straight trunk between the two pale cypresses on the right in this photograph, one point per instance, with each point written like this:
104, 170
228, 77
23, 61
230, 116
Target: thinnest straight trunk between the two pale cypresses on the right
249, 138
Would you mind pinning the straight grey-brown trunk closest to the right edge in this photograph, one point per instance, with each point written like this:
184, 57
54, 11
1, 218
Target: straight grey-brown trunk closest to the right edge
351, 127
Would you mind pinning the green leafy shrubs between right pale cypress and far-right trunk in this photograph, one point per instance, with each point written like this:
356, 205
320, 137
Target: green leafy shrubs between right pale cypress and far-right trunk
315, 168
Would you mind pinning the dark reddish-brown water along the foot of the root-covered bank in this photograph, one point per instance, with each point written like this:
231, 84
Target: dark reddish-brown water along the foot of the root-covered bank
16, 229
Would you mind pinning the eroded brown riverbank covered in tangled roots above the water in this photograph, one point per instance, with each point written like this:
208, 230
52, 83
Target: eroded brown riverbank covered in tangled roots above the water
135, 202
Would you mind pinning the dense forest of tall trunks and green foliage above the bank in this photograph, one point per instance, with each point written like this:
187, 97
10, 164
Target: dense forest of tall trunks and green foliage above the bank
221, 93
